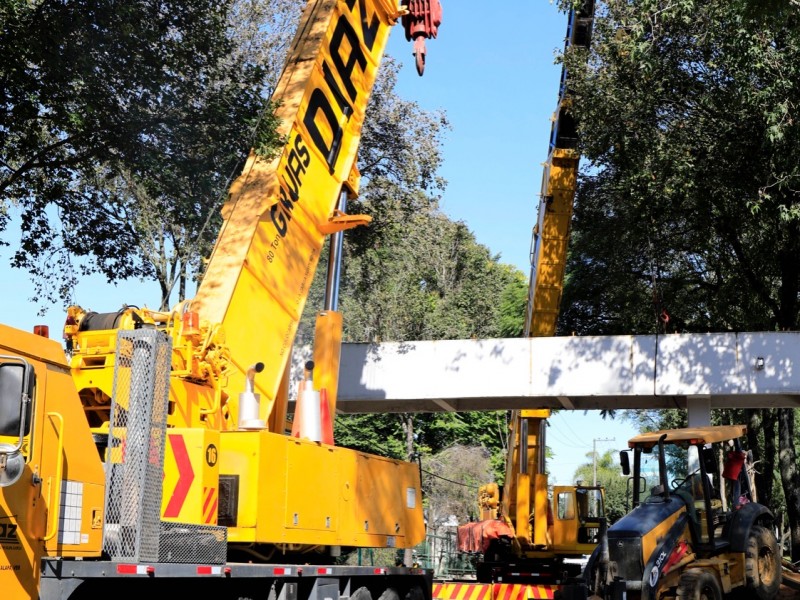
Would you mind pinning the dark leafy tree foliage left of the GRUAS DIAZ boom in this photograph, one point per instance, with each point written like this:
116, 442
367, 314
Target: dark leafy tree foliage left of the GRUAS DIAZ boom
120, 128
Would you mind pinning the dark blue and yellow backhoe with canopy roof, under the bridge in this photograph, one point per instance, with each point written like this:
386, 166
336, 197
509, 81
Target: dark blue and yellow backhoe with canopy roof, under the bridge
698, 532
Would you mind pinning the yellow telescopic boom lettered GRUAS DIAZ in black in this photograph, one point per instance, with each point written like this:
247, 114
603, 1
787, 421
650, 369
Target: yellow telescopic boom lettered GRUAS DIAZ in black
257, 280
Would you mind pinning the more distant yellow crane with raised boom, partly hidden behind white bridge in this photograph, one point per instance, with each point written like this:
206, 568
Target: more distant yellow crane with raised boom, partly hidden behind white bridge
522, 527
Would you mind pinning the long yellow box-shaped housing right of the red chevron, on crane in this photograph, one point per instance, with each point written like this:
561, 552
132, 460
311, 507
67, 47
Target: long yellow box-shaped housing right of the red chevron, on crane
340, 497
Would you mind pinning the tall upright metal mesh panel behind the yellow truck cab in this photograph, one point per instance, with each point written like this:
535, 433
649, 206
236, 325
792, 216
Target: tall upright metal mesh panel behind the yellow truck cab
135, 460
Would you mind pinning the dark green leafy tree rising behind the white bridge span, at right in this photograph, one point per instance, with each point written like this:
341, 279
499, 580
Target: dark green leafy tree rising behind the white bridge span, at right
687, 213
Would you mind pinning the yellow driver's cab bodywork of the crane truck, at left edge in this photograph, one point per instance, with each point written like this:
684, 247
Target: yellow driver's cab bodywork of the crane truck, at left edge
28, 509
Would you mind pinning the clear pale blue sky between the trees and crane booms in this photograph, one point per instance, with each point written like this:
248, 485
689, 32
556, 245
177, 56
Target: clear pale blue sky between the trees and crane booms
492, 70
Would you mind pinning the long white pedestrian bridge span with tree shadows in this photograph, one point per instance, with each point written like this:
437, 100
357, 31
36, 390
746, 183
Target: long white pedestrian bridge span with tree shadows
712, 370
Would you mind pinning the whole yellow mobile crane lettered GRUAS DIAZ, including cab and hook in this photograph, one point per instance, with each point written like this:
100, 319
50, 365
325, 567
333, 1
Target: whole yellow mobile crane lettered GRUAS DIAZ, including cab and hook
159, 454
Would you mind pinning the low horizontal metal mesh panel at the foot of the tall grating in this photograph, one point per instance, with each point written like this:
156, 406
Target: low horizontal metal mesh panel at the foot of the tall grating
181, 543
